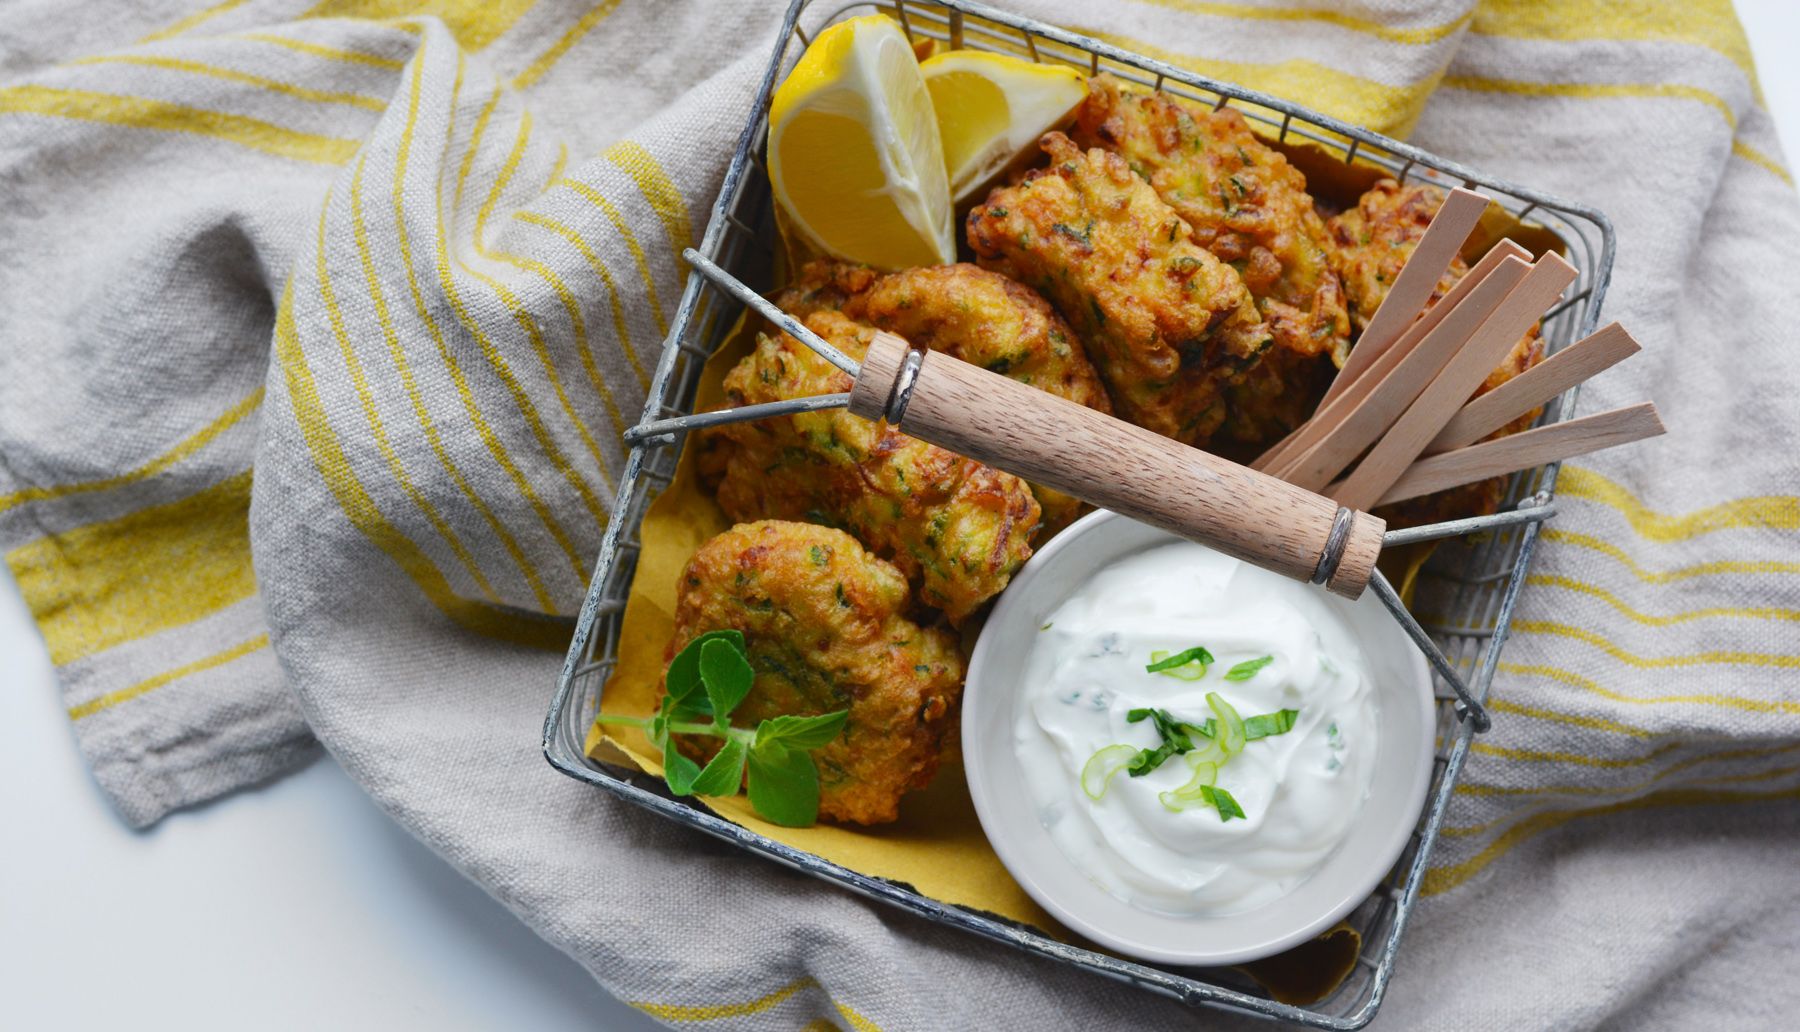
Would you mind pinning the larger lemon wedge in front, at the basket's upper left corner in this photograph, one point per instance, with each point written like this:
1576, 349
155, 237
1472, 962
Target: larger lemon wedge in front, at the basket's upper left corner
854, 150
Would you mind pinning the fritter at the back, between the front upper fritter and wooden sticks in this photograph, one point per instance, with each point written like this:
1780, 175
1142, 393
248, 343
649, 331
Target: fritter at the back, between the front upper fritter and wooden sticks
1252, 210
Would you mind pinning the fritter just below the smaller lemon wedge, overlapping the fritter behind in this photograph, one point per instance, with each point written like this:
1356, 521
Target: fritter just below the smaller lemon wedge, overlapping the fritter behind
1164, 321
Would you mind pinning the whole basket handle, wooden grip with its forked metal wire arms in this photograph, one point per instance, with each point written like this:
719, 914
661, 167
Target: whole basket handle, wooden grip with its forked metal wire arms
1246, 514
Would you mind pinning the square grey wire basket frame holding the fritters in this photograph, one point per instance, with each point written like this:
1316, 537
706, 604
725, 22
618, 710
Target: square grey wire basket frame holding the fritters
1470, 586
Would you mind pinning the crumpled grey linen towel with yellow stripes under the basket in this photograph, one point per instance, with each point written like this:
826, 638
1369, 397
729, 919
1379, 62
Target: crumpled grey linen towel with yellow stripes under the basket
321, 323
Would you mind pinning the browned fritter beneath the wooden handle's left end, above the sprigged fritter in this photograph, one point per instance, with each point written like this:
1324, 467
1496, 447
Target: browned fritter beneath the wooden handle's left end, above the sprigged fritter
955, 529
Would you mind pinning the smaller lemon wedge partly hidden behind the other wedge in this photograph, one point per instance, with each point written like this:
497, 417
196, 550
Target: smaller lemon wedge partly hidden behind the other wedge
993, 109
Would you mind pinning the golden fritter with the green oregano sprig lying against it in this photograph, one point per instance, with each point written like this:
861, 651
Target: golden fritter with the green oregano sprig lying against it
825, 629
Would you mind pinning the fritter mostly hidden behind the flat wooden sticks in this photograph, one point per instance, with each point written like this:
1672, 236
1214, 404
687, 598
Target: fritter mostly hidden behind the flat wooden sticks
1374, 242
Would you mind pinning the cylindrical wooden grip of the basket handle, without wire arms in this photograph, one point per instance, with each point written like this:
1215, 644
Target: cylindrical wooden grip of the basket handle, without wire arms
1111, 464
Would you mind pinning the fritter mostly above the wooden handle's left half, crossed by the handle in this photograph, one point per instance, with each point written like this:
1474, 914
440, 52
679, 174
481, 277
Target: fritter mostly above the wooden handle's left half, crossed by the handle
989, 321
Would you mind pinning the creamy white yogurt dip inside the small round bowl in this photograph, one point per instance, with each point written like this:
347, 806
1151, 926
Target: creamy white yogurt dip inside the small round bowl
1300, 792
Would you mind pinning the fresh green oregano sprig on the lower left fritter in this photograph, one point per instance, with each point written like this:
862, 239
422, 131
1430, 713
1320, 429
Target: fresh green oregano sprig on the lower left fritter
706, 682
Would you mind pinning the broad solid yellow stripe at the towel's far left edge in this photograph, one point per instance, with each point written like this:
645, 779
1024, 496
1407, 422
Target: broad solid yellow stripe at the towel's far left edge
111, 583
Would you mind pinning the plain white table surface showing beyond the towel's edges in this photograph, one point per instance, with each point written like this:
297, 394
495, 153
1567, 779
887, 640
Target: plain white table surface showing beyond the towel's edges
301, 905
